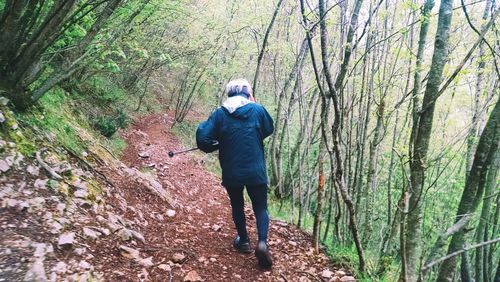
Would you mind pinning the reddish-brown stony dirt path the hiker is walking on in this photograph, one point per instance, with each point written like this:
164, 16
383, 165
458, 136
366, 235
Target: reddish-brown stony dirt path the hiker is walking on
197, 241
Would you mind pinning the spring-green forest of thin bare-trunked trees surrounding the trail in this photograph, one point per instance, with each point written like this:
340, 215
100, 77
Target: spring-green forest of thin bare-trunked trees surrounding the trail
386, 112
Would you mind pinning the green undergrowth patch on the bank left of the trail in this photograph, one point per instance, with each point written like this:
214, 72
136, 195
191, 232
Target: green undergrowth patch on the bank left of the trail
61, 114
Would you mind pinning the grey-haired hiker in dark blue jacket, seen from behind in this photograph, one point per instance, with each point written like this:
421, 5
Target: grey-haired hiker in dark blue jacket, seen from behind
237, 130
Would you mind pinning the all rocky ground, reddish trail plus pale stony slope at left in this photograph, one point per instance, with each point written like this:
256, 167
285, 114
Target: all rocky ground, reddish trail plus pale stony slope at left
147, 217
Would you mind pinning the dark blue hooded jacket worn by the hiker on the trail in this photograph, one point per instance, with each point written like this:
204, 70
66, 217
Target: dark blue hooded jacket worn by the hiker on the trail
239, 130
